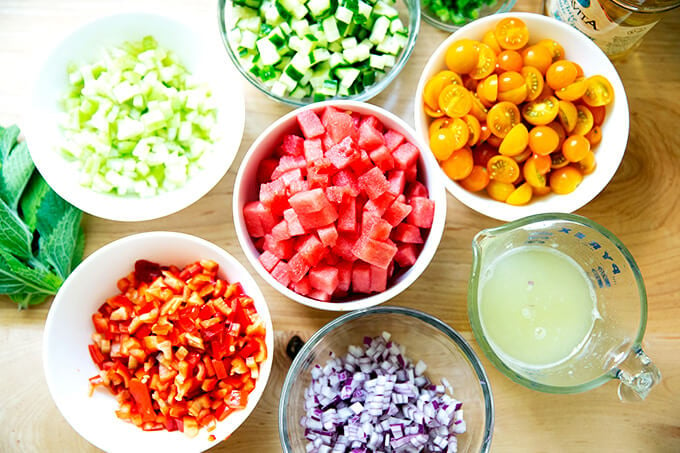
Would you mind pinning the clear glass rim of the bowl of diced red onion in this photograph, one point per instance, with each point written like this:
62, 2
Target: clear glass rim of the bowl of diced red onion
455, 337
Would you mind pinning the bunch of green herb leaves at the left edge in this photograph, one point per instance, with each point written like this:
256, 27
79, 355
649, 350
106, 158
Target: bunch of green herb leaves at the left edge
41, 240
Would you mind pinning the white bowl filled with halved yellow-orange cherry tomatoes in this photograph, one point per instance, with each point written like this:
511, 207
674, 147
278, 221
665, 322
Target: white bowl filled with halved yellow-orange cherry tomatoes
523, 115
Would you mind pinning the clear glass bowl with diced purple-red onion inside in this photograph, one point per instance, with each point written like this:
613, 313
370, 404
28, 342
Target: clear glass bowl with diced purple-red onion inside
389, 379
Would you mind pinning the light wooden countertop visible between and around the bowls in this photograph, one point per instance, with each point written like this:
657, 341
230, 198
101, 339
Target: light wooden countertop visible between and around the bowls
640, 206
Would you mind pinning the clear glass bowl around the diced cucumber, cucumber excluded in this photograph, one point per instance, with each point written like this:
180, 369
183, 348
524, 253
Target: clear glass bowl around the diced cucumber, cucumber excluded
409, 11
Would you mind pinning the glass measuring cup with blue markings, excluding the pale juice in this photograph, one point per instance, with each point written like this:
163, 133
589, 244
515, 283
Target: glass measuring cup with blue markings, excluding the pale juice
611, 347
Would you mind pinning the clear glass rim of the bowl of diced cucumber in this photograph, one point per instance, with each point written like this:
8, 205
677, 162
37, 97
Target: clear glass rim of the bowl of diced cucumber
414, 11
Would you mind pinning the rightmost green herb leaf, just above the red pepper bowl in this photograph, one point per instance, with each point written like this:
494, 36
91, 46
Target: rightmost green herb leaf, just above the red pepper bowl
57, 248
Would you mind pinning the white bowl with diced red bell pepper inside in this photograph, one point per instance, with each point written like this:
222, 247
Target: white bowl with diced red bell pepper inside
158, 341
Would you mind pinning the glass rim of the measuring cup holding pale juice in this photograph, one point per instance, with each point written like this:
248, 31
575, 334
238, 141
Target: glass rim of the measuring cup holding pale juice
474, 317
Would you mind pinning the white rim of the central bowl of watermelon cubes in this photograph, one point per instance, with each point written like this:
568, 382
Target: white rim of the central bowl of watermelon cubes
434, 185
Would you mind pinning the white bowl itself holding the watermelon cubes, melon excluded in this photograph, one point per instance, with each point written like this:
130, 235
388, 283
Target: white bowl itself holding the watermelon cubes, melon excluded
246, 189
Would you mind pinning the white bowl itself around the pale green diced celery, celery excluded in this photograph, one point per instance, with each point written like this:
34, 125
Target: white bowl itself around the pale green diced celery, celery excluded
200, 54
